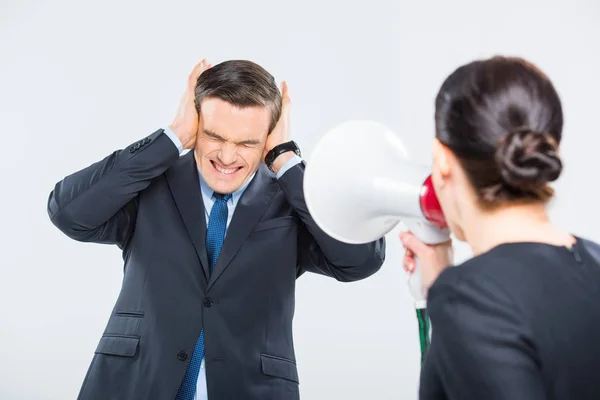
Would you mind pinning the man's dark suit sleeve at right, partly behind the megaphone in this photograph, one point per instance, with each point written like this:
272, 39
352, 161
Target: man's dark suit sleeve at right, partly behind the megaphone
318, 252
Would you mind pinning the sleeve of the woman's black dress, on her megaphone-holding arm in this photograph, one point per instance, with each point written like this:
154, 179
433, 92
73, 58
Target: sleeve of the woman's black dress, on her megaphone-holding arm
483, 347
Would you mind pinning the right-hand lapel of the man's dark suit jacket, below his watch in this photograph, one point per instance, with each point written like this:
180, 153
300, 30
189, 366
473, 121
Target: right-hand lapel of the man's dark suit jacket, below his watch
250, 208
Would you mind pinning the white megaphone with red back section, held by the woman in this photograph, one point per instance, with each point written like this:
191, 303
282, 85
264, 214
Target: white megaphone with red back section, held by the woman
359, 184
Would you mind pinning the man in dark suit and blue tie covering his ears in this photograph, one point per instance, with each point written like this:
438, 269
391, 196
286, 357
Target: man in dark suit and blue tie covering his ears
212, 241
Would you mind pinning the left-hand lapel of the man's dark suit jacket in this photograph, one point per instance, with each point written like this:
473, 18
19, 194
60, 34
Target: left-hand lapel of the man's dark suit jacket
185, 186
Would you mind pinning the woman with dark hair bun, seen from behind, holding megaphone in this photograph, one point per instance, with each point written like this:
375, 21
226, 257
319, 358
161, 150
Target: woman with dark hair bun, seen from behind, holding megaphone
521, 318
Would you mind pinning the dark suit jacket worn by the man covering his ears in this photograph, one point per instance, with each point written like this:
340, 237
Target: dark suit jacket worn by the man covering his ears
146, 200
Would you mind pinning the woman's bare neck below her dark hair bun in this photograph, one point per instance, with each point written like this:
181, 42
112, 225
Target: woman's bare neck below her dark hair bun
518, 223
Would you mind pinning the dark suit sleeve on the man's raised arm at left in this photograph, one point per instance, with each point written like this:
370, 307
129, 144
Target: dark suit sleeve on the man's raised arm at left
99, 203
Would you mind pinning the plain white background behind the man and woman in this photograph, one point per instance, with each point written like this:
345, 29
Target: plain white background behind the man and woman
79, 79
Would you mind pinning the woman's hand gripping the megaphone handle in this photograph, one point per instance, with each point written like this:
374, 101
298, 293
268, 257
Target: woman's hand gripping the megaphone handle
433, 259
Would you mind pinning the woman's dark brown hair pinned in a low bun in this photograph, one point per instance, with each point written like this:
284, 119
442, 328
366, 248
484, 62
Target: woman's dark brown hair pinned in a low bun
503, 120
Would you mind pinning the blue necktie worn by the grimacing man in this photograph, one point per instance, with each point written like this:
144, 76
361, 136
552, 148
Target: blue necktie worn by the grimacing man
215, 235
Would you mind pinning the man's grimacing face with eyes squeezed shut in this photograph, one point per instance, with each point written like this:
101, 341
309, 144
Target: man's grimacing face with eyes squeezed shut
230, 143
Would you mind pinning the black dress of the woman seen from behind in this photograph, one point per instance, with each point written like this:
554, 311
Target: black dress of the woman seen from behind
520, 322
